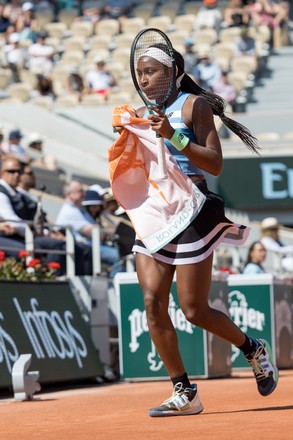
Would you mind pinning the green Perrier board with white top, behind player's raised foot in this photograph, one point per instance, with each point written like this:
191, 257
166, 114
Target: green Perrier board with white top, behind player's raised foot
251, 307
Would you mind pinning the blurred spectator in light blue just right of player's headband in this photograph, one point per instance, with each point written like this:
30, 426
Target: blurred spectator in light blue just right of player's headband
207, 72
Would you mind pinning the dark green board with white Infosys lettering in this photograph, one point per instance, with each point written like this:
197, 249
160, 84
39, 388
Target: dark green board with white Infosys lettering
43, 319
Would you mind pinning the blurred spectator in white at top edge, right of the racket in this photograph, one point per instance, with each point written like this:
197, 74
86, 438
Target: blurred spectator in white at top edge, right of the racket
209, 16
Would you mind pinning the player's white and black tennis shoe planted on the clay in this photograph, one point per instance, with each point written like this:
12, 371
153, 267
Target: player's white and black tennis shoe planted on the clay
184, 401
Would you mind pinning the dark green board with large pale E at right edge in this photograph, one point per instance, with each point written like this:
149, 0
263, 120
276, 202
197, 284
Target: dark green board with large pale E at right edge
269, 186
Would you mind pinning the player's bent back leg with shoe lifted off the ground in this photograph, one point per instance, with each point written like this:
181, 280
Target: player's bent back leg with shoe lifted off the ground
193, 285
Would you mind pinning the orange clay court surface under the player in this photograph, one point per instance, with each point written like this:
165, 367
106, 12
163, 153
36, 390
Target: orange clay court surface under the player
233, 410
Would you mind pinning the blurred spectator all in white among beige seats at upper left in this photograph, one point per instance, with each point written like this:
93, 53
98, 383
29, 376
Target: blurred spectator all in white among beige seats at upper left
40, 56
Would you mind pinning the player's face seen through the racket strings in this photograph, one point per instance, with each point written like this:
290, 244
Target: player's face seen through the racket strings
153, 78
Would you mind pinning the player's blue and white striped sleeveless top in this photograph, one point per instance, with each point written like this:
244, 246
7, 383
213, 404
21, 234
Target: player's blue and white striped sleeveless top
174, 115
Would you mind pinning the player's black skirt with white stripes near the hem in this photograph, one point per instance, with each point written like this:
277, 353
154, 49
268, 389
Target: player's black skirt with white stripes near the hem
209, 229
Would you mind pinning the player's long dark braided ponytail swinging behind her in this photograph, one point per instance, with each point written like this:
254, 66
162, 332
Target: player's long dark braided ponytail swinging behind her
218, 105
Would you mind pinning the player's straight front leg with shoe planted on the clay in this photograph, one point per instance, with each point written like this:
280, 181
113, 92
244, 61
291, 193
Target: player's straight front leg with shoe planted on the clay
155, 279
